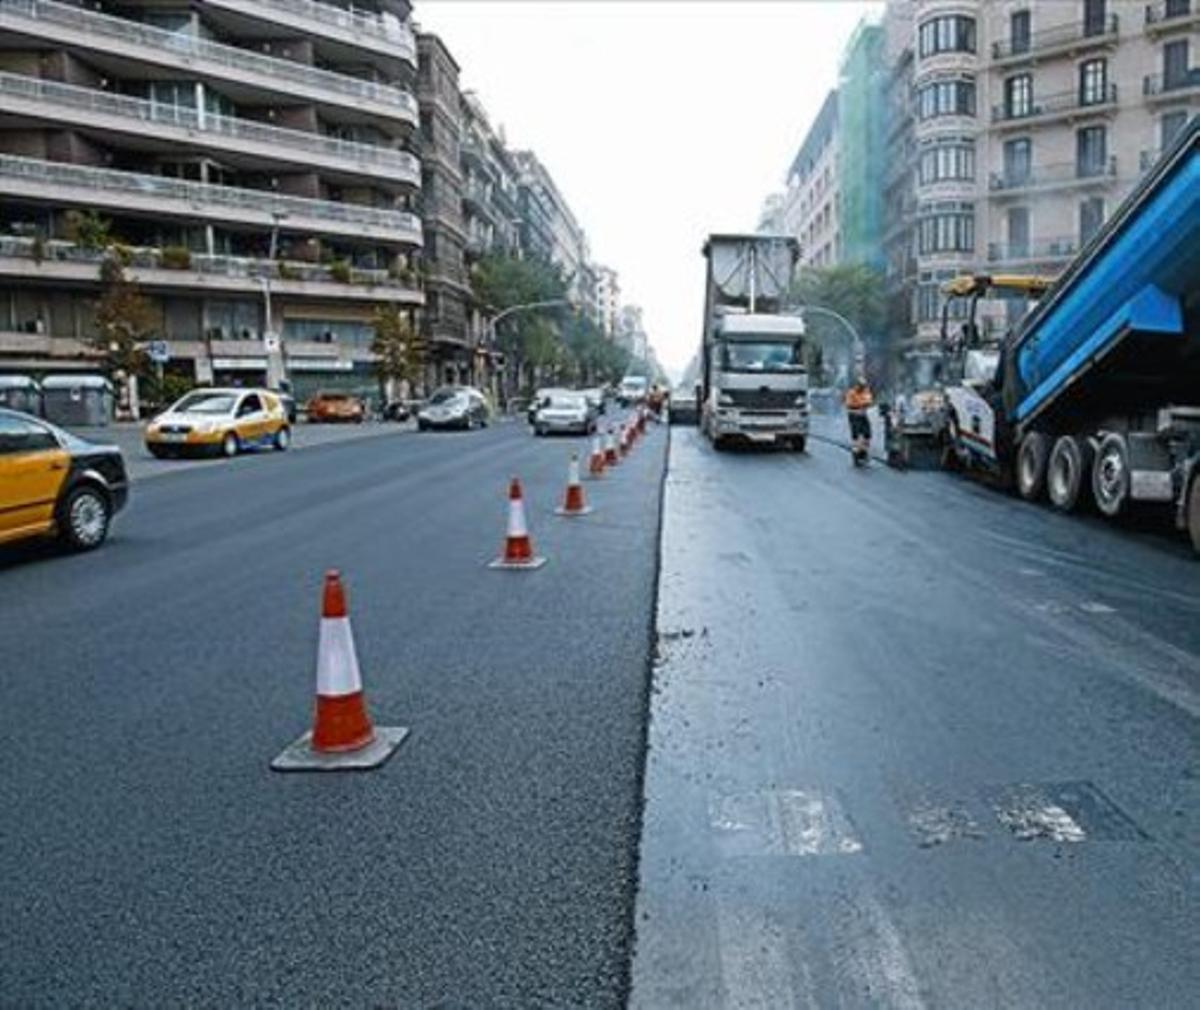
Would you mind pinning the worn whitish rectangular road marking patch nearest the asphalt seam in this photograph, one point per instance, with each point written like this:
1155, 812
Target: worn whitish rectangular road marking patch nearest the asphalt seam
783, 822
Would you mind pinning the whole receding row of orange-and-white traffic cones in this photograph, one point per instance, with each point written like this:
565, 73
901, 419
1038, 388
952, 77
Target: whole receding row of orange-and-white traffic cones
344, 737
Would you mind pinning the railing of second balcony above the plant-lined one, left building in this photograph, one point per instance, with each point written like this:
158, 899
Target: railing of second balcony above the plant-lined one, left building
400, 164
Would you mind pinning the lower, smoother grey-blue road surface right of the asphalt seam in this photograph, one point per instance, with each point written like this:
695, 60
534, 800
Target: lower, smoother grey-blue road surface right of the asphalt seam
915, 744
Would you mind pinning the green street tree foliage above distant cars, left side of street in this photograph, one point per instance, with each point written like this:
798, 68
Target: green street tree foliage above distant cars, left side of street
559, 346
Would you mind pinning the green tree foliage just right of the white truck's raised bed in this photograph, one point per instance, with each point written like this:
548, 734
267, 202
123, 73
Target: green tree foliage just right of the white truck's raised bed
855, 291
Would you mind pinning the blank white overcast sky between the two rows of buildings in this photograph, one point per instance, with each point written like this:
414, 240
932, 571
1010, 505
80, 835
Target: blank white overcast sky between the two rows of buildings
661, 122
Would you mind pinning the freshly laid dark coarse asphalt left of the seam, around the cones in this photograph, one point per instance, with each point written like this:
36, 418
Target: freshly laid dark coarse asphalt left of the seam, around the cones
149, 857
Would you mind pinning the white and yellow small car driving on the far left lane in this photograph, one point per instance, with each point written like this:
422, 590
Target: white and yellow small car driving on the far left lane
220, 423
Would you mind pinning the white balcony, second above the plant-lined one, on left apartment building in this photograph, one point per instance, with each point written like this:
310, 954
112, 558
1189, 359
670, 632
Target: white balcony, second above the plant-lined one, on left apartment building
89, 110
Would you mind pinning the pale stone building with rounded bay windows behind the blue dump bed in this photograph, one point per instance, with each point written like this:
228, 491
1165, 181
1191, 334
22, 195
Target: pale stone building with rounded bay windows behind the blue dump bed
1030, 123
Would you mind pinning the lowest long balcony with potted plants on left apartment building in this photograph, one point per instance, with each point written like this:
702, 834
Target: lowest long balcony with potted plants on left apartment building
67, 262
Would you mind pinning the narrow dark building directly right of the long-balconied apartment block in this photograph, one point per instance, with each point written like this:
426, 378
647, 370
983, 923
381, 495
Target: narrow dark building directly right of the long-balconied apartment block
445, 322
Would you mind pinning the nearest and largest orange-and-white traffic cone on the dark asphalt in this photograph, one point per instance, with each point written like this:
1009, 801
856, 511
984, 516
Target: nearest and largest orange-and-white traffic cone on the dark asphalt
343, 736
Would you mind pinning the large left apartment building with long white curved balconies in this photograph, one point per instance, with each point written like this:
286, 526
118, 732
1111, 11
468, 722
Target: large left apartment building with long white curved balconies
251, 159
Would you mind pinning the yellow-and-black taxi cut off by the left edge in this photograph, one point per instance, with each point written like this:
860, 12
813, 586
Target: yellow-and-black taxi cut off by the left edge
53, 483
